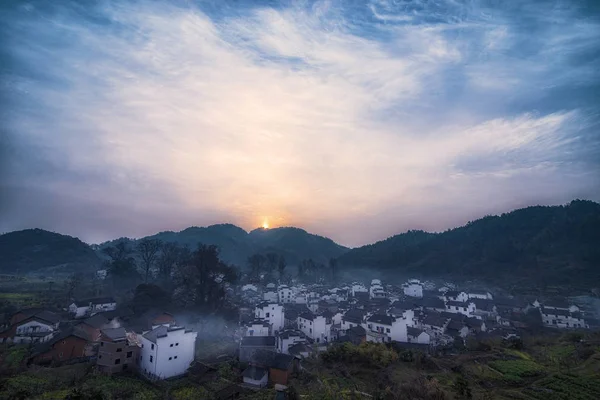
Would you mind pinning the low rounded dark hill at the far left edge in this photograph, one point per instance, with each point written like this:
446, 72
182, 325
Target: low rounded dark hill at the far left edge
36, 249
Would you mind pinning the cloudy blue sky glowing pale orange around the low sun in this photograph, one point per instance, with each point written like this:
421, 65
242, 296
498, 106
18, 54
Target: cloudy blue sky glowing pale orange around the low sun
351, 119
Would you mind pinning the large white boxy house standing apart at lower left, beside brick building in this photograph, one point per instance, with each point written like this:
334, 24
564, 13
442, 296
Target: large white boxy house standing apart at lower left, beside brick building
166, 351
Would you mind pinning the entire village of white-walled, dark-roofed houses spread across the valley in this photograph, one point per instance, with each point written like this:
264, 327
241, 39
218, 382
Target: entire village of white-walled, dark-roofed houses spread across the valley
280, 325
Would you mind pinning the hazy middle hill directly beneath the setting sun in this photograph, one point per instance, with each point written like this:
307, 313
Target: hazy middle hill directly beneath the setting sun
236, 245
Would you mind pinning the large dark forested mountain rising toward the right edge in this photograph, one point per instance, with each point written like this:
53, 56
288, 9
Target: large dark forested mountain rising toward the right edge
544, 245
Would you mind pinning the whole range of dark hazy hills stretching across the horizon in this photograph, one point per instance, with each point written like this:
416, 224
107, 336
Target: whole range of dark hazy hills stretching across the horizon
548, 245
